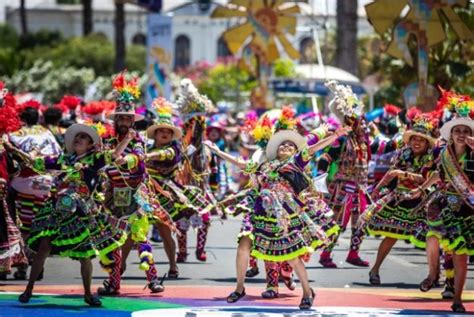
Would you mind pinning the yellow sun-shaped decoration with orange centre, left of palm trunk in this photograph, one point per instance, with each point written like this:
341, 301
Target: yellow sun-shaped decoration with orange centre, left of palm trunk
268, 22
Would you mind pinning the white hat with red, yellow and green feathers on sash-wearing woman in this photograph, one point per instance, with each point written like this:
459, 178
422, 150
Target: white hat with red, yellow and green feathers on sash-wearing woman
462, 109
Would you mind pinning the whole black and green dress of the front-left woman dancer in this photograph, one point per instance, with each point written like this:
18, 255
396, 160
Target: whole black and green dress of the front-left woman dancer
72, 218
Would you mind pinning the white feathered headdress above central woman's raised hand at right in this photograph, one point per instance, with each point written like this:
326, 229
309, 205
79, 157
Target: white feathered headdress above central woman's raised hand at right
345, 105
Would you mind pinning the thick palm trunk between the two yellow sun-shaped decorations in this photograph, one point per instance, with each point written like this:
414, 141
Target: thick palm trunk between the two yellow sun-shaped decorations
346, 43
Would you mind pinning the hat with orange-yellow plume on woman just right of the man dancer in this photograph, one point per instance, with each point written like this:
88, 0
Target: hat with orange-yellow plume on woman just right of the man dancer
164, 118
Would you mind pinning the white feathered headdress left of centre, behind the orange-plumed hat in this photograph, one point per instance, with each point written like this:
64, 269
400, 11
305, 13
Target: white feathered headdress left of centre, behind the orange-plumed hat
190, 103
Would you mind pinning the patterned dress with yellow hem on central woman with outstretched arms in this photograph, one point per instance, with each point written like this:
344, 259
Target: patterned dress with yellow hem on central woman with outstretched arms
281, 228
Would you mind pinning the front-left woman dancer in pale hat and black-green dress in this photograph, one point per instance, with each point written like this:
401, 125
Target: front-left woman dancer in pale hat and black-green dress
71, 224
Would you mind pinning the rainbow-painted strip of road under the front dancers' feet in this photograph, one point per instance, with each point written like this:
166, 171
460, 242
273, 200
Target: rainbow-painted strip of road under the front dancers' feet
200, 301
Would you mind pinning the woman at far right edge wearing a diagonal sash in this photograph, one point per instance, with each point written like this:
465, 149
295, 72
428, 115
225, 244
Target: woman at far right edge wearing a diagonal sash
450, 208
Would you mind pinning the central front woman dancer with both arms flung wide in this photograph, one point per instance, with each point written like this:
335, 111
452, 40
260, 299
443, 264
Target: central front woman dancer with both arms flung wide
278, 227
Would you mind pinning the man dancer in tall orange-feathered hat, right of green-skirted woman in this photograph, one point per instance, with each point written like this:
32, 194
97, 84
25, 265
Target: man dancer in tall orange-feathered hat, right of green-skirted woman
124, 178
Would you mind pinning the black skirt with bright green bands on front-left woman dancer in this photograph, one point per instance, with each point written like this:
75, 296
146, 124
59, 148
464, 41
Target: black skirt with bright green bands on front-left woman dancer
76, 228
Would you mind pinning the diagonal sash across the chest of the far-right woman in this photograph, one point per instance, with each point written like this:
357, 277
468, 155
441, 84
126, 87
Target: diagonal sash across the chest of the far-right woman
457, 177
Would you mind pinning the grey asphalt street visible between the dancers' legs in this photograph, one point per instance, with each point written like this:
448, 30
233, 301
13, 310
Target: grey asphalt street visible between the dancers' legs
404, 268
